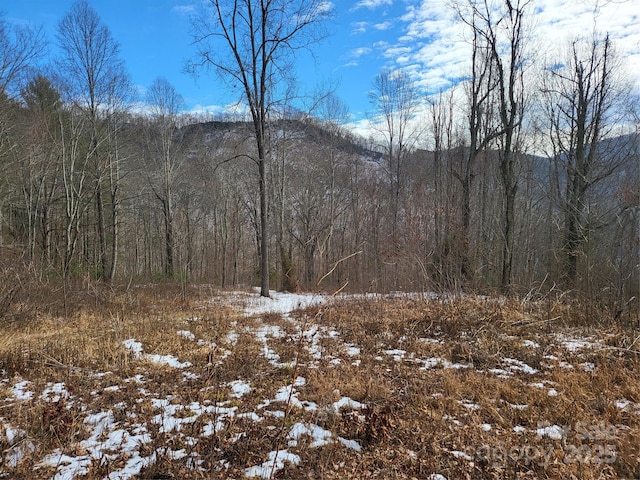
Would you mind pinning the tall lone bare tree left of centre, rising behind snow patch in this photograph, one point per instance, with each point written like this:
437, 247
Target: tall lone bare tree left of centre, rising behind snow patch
251, 43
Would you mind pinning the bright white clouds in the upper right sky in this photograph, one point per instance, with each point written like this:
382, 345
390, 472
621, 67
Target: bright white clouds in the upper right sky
435, 40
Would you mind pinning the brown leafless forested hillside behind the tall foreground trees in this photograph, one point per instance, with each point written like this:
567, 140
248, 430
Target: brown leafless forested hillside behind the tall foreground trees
190, 212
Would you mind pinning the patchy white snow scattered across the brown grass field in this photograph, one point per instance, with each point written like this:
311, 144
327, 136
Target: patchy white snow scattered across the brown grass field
122, 442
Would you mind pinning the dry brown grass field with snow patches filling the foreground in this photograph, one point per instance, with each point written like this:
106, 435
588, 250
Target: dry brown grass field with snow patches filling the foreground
162, 382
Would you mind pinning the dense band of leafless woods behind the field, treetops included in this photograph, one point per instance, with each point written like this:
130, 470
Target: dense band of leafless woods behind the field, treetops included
523, 178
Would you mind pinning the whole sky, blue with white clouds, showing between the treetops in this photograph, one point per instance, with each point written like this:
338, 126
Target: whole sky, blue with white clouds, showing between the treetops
421, 36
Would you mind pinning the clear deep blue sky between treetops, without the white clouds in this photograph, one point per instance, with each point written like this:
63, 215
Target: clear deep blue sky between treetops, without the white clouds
155, 40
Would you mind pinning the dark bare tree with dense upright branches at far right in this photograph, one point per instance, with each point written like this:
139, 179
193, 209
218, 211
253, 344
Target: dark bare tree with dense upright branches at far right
581, 96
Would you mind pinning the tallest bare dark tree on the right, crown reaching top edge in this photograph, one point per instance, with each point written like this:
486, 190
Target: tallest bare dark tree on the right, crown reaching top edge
496, 106
